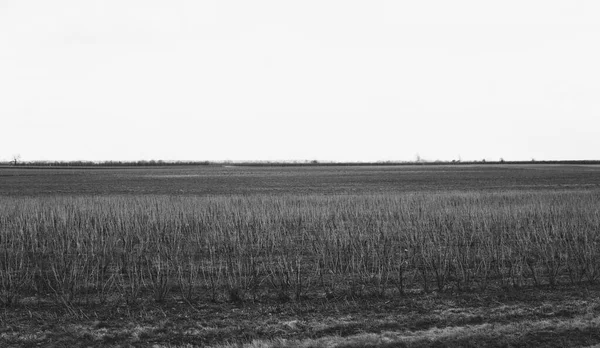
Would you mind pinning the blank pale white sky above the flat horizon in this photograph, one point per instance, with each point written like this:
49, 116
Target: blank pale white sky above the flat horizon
327, 80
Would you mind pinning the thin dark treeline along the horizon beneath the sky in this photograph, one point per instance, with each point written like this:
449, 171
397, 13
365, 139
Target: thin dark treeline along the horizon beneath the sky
153, 163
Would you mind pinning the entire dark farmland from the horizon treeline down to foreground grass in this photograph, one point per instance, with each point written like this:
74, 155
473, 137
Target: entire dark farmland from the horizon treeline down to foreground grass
354, 256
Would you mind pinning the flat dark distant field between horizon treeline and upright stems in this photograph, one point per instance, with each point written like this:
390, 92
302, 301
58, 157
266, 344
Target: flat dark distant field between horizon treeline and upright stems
228, 180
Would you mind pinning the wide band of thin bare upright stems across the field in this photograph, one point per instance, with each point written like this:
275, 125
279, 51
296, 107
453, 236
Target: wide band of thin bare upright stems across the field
123, 248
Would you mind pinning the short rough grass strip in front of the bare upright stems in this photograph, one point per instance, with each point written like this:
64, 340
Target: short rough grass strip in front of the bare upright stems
564, 317
